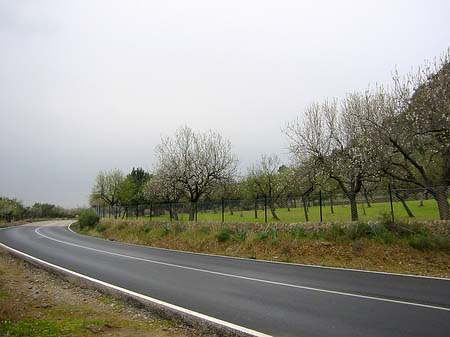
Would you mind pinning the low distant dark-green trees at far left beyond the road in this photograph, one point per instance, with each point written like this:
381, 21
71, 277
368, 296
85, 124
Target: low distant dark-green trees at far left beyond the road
13, 210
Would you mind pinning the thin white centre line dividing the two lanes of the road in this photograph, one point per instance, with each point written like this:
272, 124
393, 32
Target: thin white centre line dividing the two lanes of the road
247, 278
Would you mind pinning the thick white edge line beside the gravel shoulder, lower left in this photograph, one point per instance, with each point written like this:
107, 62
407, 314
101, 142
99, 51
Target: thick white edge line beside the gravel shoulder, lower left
144, 297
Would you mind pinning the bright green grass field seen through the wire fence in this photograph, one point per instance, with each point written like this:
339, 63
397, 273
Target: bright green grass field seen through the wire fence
428, 211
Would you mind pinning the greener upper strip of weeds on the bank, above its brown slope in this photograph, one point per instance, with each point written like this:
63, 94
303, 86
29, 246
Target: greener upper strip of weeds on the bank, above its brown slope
415, 235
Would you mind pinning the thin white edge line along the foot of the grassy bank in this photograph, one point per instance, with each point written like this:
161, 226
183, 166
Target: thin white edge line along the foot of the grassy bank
267, 261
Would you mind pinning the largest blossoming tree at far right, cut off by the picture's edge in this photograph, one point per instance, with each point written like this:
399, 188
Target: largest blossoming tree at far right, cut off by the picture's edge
409, 126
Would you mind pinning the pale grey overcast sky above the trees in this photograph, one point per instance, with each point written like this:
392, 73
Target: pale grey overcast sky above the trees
92, 85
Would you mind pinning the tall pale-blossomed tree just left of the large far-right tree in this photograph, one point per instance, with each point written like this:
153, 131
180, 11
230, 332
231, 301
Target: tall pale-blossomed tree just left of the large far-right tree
329, 138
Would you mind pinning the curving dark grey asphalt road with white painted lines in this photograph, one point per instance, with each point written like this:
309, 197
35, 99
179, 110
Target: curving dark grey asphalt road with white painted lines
271, 298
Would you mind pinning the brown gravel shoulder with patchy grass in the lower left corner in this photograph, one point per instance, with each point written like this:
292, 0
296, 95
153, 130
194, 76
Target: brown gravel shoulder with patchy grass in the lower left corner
34, 302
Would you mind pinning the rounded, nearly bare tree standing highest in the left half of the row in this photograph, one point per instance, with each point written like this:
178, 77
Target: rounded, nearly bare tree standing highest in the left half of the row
195, 161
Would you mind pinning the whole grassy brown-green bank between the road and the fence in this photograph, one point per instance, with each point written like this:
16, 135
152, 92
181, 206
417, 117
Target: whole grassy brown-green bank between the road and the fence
400, 248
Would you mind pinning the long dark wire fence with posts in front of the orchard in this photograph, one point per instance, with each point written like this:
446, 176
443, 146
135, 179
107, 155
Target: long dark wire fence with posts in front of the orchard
392, 203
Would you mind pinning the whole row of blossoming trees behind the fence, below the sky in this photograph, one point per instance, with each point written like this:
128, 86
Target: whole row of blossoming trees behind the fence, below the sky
398, 134
